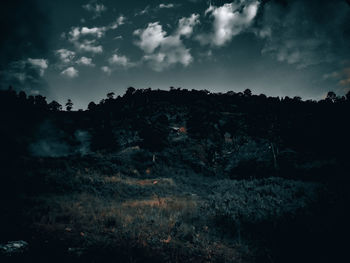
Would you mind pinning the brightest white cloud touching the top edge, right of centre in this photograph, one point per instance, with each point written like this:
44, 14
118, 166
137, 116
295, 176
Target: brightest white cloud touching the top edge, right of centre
230, 20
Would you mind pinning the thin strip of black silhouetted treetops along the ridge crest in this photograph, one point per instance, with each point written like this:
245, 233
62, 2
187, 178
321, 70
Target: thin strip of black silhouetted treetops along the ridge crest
11, 99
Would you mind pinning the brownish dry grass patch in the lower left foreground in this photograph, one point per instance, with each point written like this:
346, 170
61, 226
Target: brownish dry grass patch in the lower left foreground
172, 224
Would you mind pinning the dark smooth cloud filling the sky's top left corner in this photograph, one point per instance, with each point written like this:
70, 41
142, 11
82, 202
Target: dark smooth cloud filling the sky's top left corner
21, 35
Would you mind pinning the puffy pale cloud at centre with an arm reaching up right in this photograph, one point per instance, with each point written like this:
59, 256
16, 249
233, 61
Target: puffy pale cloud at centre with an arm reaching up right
162, 51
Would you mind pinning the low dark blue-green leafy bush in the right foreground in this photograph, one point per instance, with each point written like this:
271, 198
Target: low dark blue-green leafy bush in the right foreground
272, 200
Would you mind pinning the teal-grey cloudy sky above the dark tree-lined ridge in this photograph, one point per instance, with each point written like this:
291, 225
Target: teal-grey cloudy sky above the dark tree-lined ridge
83, 49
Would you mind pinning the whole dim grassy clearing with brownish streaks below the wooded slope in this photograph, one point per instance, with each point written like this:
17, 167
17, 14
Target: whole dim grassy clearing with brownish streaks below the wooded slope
98, 208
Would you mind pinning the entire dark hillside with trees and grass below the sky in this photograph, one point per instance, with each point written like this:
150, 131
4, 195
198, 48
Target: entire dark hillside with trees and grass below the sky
175, 176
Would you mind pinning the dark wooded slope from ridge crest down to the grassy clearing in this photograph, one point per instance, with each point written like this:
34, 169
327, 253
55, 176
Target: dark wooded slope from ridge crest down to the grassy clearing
315, 128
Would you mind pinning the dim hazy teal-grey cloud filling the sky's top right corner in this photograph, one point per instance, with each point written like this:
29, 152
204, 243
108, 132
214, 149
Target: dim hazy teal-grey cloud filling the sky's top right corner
305, 33
